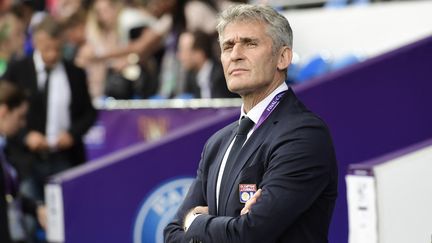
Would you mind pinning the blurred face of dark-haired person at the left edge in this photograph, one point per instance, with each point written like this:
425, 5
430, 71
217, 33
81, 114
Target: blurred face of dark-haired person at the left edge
14, 119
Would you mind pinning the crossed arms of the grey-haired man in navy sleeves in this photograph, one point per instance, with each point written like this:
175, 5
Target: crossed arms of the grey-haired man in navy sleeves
297, 174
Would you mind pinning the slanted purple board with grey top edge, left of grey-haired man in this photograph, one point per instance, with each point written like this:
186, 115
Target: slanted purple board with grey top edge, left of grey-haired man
102, 198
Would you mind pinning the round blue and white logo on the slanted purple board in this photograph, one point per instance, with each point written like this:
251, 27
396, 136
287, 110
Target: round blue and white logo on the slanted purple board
159, 209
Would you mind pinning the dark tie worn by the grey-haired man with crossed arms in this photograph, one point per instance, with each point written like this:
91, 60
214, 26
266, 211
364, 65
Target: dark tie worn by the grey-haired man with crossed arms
245, 126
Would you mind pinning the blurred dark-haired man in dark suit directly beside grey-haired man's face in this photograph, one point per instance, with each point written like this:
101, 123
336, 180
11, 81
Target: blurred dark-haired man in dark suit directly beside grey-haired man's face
205, 78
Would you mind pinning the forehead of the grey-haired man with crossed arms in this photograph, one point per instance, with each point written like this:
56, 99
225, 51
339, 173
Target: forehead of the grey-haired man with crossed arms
244, 29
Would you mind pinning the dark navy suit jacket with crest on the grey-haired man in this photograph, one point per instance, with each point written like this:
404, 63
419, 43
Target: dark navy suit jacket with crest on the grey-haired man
291, 157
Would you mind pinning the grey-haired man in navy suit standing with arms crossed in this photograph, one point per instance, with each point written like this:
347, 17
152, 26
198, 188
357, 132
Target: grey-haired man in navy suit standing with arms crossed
287, 160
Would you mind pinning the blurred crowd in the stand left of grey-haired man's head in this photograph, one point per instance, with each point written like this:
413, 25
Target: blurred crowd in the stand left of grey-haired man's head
129, 49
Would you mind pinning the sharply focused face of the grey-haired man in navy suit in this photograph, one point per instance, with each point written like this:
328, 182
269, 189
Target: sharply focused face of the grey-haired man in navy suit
249, 64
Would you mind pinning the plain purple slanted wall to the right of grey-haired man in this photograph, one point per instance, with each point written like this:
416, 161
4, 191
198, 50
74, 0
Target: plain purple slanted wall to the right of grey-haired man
379, 106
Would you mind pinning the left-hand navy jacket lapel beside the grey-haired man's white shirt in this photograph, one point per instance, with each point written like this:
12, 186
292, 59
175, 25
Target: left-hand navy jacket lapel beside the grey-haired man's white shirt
214, 171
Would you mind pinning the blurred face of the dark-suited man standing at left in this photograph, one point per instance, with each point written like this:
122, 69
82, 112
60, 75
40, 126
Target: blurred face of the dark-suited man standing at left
49, 47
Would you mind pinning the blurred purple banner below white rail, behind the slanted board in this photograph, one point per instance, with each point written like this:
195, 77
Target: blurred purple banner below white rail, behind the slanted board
116, 129
